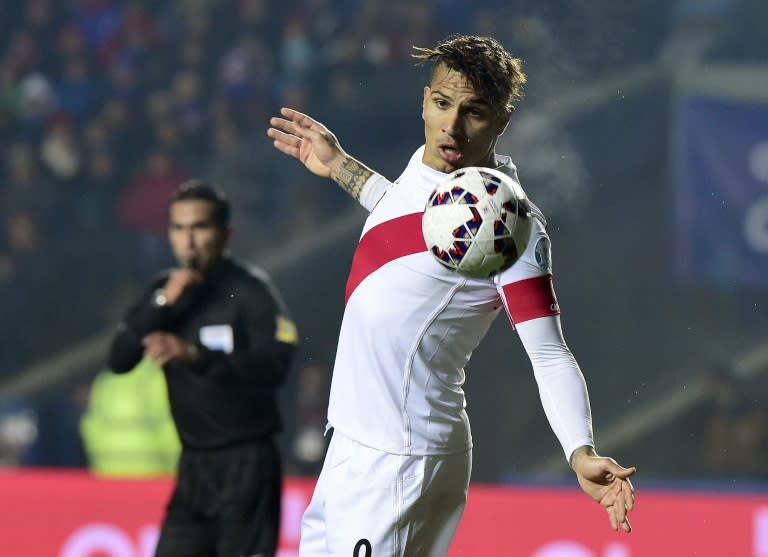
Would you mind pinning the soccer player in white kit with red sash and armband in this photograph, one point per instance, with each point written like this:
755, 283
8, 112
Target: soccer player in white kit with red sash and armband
397, 470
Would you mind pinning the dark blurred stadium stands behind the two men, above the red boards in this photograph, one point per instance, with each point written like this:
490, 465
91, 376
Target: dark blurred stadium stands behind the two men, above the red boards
643, 136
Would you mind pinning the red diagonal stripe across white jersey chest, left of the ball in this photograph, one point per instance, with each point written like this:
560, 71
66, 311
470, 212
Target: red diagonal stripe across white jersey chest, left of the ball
383, 243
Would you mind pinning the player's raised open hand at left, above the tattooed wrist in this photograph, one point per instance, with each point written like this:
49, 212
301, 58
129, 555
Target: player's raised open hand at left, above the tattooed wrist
307, 140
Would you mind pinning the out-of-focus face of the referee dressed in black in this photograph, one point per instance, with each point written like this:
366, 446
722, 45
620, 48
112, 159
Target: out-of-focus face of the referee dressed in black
196, 239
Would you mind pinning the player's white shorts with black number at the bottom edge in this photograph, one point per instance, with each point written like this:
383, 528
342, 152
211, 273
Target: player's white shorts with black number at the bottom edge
368, 503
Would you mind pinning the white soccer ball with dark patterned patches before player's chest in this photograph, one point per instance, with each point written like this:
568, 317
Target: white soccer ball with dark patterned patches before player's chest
477, 222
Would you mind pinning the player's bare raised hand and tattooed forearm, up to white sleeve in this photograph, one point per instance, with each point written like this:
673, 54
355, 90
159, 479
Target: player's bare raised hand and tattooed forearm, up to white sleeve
304, 138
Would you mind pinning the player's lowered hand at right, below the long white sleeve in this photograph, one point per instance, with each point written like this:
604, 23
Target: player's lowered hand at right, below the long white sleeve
607, 483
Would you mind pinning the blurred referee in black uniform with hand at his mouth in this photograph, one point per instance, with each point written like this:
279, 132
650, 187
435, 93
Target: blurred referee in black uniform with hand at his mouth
225, 341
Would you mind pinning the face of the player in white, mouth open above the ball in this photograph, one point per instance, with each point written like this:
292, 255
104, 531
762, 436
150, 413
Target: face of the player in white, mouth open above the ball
460, 127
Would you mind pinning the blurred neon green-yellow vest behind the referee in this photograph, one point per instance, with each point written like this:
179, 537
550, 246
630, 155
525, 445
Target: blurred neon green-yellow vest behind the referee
127, 428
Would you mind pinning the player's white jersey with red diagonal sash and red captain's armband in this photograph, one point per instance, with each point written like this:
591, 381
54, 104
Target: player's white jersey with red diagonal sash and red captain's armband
410, 326
